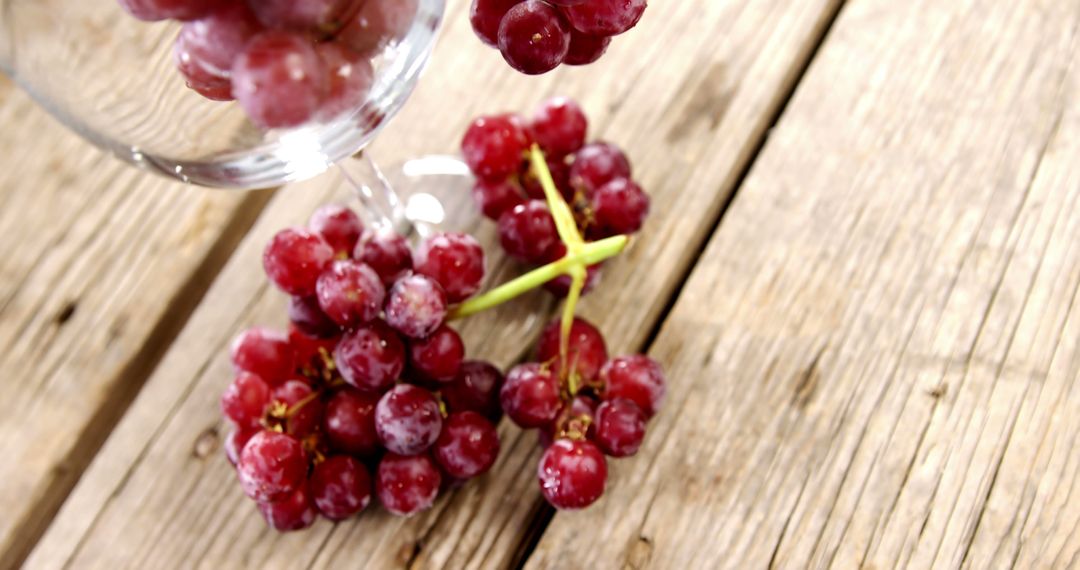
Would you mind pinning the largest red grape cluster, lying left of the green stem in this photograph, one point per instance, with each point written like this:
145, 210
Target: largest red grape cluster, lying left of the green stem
370, 388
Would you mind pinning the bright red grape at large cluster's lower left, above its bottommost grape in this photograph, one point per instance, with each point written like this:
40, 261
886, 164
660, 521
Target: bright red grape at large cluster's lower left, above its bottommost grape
273, 466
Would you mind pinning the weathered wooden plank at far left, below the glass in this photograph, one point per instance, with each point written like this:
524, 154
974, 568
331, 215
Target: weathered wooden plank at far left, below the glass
102, 266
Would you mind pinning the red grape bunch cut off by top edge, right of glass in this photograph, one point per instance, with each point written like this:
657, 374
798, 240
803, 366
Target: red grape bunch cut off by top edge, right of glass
538, 36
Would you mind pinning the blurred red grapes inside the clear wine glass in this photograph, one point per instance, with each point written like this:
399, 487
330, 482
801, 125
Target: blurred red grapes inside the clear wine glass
287, 62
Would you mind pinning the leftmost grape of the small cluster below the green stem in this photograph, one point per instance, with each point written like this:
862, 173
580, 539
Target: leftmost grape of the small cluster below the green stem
531, 396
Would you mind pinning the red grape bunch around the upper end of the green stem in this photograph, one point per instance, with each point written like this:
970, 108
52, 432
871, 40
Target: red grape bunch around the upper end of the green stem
595, 180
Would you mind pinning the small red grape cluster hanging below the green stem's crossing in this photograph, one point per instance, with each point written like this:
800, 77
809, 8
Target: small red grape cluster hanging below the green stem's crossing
593, 408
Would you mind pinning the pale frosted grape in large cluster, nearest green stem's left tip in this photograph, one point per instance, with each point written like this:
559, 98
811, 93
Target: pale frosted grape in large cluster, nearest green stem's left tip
416, 306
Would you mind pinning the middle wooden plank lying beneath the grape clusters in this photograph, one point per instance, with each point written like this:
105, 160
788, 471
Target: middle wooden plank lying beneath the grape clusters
701, 82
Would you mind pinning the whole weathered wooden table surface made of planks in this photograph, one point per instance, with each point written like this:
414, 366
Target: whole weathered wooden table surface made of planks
860, 275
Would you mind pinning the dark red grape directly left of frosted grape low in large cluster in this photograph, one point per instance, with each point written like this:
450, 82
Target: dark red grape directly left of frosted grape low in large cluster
349, 423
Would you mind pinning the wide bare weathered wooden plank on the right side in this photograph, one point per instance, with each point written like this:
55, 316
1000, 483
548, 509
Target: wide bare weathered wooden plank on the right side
875, 363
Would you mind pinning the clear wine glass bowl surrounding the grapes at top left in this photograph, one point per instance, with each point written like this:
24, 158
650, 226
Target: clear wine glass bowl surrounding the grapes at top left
112, 78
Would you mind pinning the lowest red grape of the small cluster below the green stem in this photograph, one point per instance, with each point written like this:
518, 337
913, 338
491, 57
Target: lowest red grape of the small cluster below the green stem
573, 474
